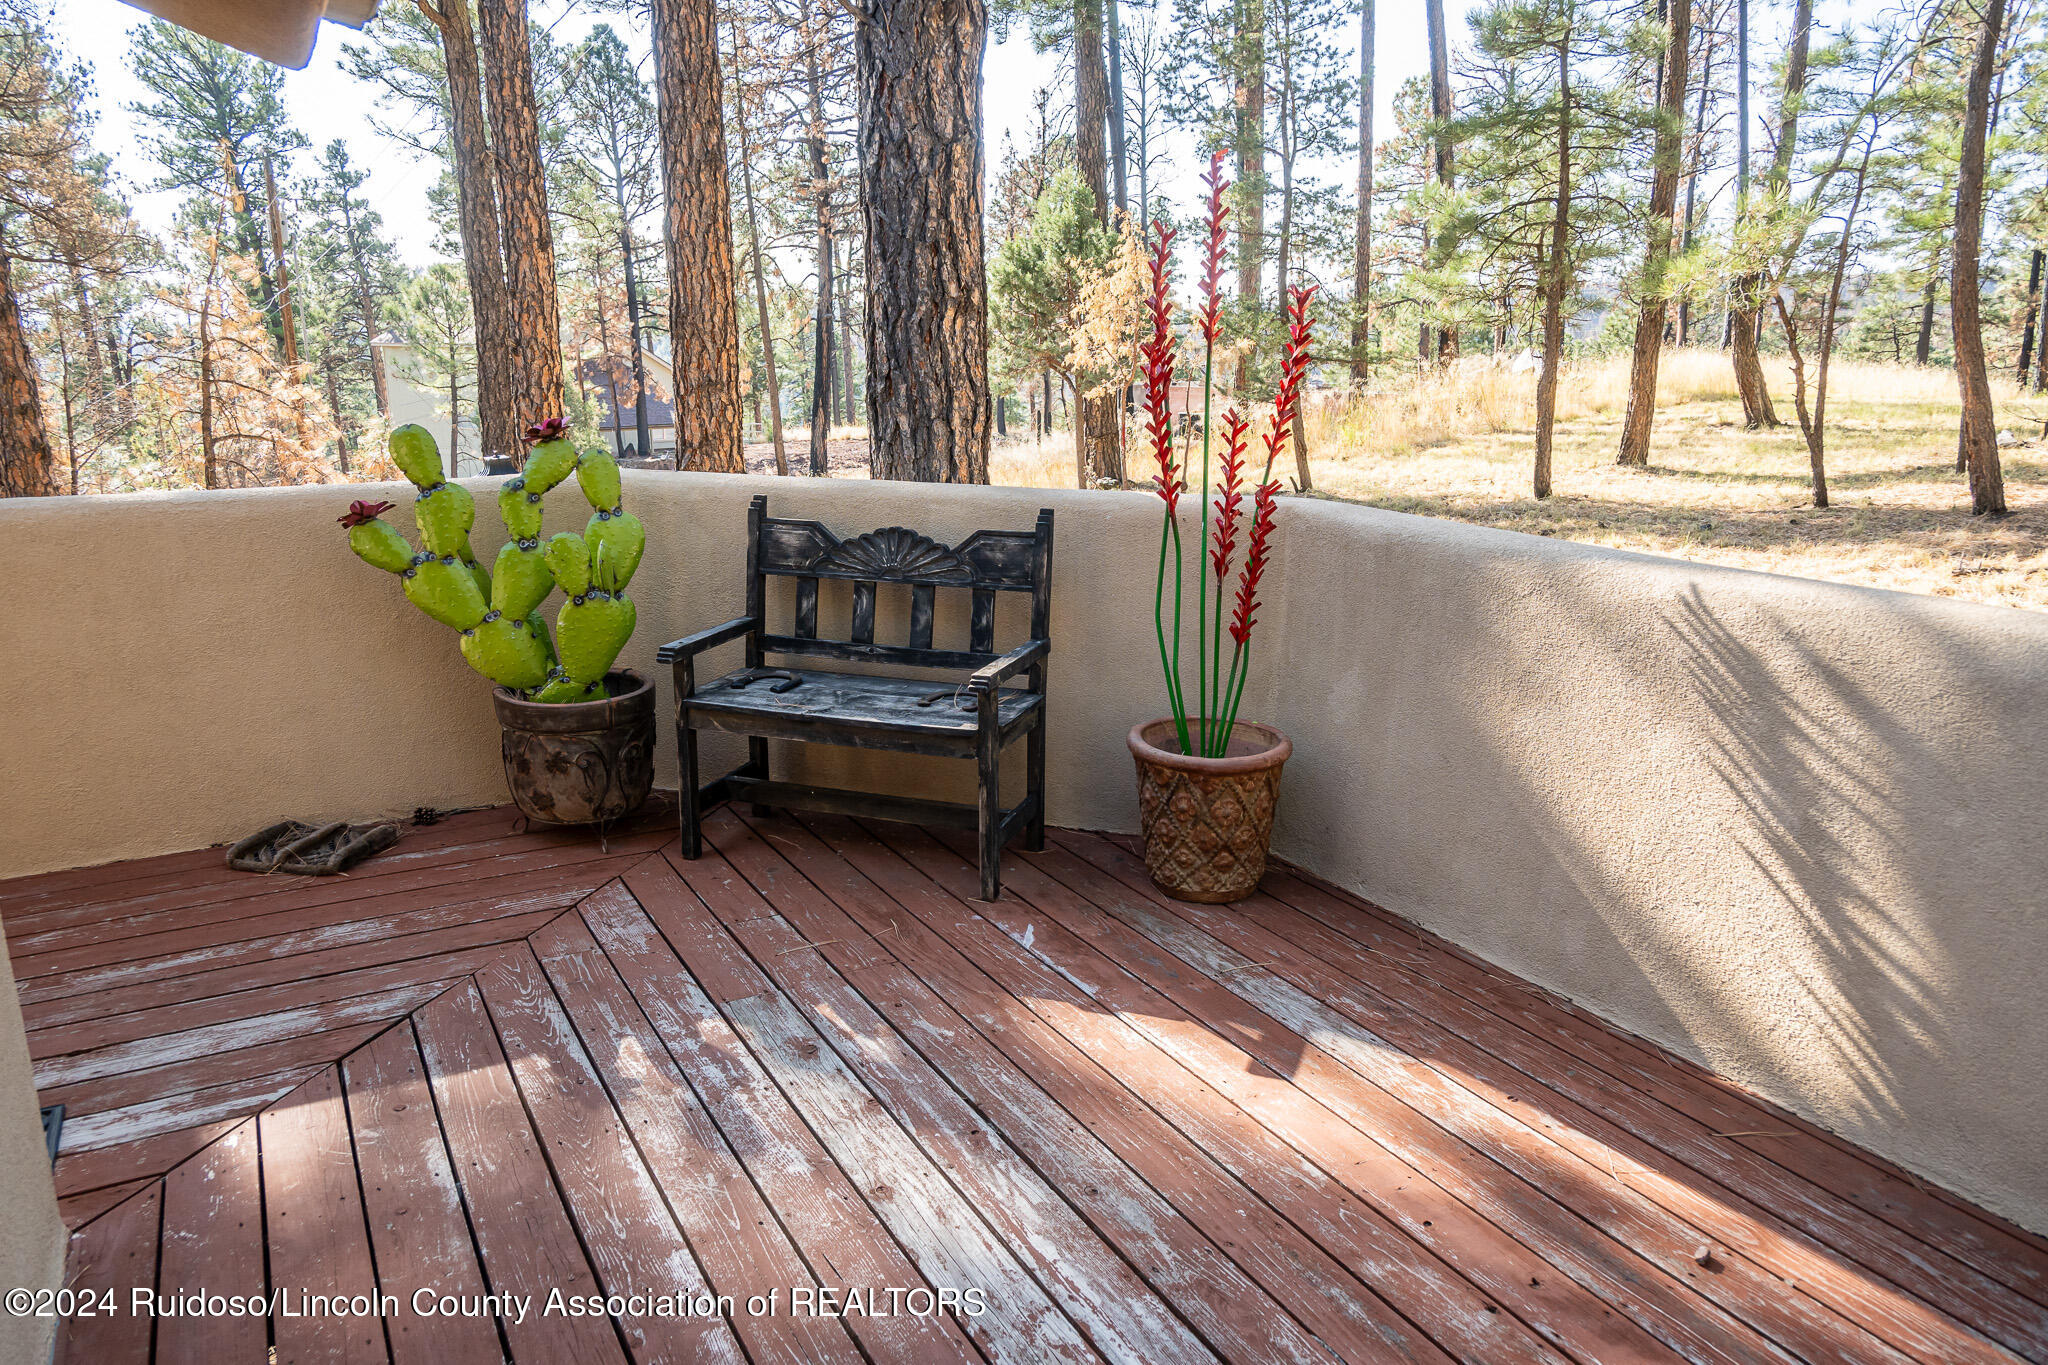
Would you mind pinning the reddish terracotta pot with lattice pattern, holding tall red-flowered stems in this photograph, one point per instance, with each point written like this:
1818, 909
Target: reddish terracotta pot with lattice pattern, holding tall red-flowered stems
1209, 822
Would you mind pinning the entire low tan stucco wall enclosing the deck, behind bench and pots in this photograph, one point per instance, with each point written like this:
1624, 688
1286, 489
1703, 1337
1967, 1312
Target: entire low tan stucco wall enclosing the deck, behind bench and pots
1789, 830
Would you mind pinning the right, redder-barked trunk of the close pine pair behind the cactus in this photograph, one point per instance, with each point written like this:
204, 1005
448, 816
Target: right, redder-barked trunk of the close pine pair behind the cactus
534, 310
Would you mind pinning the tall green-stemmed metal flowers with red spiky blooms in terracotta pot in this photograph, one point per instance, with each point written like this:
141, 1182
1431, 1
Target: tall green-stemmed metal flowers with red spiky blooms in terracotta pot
1218, 689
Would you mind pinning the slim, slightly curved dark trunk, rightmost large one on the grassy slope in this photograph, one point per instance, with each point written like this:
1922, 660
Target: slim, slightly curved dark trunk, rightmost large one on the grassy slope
1979, 433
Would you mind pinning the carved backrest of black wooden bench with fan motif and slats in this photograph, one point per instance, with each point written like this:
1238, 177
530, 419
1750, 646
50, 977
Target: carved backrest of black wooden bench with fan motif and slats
986, 564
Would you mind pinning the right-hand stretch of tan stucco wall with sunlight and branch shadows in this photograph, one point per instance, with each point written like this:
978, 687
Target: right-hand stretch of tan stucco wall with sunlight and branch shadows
1775, 826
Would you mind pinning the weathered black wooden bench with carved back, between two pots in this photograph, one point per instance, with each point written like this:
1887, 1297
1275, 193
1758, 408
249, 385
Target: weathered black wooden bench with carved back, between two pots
974, 715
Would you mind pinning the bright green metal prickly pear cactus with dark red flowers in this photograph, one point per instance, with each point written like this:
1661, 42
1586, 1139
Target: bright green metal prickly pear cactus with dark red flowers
499, 613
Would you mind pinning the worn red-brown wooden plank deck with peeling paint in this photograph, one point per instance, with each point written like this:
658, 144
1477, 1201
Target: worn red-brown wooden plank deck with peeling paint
810, 1067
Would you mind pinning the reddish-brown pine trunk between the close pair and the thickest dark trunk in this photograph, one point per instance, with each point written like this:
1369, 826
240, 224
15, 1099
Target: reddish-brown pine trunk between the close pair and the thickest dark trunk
701, 296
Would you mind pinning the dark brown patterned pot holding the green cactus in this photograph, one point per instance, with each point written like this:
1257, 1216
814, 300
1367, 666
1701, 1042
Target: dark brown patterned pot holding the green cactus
581, 762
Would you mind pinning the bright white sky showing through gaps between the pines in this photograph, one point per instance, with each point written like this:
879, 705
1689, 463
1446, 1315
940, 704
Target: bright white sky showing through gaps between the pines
329, 103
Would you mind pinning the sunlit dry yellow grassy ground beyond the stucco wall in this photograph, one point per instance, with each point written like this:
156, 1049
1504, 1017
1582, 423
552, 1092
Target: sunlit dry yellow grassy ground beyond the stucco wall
1463, 447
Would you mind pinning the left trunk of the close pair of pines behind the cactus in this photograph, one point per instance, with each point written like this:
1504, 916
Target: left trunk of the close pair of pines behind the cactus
476, 187
